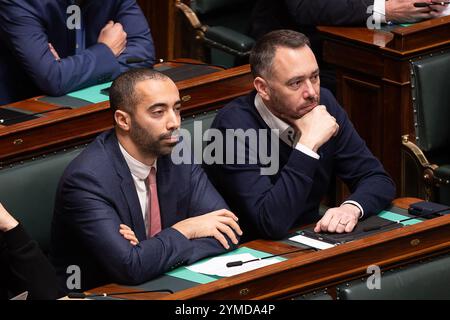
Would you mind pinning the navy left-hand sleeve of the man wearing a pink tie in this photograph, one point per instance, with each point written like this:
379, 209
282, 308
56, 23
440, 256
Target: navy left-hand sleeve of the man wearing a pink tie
87, 209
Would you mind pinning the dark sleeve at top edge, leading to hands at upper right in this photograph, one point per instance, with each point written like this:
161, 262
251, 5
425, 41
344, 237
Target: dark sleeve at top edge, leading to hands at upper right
326, 12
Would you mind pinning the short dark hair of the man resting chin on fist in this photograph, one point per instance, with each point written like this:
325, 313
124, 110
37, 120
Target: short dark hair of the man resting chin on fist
262, 54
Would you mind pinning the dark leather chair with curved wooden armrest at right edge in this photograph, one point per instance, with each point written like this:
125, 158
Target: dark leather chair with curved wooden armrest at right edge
426, 158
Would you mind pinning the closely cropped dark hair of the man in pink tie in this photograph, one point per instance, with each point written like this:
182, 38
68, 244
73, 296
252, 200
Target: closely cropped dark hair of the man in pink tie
122, 95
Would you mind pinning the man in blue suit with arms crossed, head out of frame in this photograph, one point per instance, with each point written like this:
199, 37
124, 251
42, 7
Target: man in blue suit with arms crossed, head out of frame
54, 47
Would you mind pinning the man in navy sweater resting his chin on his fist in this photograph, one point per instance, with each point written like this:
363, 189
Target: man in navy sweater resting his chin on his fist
314, 140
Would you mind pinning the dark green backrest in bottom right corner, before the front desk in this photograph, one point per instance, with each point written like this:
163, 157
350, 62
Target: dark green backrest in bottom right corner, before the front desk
425, 280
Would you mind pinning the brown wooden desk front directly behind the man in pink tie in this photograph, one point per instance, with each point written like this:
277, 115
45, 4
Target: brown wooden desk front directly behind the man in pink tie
64, 127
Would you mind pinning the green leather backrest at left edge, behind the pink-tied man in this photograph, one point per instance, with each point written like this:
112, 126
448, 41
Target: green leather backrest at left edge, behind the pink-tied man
28, 190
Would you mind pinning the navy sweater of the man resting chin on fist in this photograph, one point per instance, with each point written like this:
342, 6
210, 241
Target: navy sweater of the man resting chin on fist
268, 206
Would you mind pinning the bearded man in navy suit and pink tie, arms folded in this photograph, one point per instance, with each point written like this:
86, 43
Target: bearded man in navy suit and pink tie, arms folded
108, 189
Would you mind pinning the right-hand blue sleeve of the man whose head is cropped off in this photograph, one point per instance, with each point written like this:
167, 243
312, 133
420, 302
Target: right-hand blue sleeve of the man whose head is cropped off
139, 39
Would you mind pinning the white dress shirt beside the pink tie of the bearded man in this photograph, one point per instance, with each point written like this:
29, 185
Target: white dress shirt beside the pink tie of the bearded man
139, 173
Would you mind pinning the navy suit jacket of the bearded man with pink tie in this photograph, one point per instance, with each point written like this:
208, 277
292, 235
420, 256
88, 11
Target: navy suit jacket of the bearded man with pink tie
97, 193
